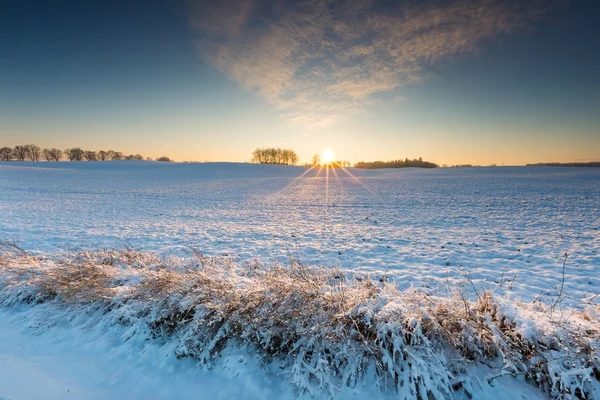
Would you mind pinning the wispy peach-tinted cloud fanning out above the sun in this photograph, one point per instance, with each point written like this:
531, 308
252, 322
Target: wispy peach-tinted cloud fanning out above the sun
317, 60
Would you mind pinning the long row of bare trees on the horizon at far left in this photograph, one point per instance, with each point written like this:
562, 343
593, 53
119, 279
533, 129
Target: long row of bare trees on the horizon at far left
31, 152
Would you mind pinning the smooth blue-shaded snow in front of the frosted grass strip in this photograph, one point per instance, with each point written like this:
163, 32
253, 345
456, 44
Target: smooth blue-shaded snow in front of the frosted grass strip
85, 360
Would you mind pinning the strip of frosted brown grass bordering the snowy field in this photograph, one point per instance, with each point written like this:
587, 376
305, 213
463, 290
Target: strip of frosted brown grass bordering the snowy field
326, 328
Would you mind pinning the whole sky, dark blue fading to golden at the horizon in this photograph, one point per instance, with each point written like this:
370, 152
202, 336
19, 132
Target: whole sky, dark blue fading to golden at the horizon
454, 82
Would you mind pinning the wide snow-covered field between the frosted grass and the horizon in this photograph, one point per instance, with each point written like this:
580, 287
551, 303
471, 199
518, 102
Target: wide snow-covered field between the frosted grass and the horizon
422, 226
